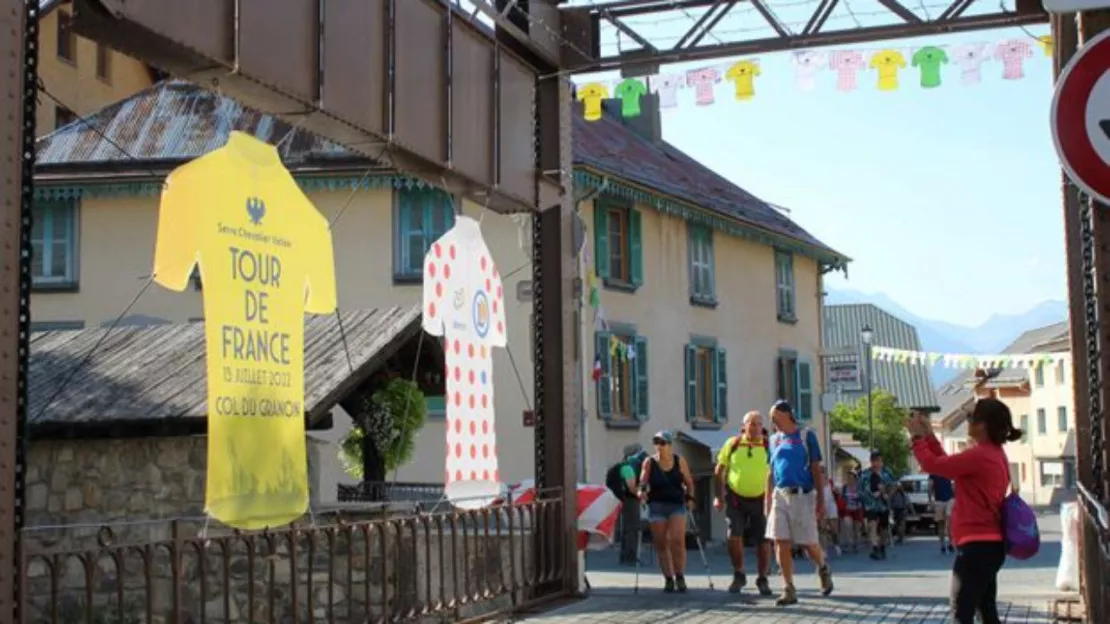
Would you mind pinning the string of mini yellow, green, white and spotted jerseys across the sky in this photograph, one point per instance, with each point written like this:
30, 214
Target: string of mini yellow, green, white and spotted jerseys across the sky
847, 71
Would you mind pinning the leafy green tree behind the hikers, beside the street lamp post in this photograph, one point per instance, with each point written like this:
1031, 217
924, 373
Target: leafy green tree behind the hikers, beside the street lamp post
891, 437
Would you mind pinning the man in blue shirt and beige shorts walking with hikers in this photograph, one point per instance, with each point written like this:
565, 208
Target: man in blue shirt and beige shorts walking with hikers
795, 499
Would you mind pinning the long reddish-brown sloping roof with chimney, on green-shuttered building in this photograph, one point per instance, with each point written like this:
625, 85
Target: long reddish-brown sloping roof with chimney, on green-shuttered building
612, 147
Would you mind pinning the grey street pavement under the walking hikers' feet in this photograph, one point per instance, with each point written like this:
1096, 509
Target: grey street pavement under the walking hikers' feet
911, 587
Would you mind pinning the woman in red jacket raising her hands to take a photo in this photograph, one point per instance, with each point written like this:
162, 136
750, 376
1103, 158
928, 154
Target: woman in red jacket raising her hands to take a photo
982, 475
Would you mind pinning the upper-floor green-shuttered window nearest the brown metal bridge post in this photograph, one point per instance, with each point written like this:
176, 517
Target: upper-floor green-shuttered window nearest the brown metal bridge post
618, 244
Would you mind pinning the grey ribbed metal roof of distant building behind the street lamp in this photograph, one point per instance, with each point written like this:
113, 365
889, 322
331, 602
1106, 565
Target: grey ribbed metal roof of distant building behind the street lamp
909, 383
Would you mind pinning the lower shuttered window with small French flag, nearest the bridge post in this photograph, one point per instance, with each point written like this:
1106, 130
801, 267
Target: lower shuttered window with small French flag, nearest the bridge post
621, 363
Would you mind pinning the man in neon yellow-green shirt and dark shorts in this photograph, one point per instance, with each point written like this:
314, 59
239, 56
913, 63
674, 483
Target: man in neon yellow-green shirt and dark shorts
742, 487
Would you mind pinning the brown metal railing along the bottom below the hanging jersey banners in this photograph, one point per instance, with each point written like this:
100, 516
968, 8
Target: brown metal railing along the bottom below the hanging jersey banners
452, 566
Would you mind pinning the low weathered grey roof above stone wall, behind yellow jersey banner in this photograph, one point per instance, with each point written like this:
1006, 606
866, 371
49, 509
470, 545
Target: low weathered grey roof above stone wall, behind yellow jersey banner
144, 377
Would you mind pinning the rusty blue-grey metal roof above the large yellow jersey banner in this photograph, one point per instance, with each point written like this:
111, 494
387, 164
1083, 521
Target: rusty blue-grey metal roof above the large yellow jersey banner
171, 123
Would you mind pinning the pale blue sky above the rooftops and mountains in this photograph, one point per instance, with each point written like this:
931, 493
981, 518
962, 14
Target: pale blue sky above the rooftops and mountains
947, 200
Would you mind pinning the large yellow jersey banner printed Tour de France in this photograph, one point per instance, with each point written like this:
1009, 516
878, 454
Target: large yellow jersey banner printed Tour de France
265, 256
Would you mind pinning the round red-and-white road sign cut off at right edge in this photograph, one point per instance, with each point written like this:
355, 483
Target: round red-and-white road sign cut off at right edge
1082, 118
